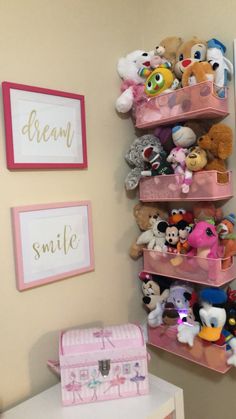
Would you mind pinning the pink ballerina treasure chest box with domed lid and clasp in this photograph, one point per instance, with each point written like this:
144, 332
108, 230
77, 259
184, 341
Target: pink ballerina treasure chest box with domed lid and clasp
102, 364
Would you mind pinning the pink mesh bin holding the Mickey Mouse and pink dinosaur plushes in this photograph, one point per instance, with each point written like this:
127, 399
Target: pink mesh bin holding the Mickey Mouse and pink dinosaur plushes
191, 269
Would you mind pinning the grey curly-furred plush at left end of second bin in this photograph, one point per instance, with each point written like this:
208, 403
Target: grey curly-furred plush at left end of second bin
134, 158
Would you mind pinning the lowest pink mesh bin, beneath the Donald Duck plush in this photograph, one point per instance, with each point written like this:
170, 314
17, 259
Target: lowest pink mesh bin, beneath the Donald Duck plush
203, 353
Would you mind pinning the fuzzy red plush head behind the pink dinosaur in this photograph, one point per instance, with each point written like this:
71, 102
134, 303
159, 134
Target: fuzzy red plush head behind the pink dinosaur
207, 211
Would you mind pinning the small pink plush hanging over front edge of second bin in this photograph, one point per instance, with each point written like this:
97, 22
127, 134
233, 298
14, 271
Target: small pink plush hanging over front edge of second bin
177, 159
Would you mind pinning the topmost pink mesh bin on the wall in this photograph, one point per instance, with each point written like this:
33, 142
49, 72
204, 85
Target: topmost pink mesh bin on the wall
192, 102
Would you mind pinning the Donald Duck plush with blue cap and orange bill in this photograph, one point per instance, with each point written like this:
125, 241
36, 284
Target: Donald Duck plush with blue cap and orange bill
211, 314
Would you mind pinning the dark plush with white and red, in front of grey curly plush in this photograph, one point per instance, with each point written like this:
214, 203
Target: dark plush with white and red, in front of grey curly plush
157, 161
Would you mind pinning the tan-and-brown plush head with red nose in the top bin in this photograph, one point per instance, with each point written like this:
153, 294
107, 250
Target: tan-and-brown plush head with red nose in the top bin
189, 52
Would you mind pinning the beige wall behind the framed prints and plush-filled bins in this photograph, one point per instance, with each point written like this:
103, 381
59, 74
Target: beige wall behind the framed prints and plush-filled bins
73, 45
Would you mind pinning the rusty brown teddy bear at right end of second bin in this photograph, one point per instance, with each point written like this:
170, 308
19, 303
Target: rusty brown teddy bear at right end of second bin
218, 143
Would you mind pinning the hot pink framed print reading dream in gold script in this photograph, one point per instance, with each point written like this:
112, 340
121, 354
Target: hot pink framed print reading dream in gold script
45, 129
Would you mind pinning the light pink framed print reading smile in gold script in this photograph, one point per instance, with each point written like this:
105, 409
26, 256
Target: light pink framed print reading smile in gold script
52, 242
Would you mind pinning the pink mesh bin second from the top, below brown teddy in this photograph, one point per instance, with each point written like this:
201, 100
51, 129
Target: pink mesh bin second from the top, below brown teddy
205, 187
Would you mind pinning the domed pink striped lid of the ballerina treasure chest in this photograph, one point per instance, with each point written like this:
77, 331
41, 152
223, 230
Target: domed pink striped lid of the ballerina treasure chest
77, 341
